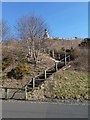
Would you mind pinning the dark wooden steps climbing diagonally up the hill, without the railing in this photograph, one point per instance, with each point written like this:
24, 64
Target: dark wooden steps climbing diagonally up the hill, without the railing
41, 78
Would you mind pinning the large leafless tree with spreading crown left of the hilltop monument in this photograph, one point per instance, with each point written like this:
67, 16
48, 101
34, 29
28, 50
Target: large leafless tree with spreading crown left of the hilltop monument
32, 29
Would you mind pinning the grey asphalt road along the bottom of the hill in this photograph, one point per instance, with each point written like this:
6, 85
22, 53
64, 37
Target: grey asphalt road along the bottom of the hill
17, 109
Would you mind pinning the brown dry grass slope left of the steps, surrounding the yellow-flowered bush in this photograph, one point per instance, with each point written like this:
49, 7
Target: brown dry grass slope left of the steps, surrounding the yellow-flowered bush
14, 50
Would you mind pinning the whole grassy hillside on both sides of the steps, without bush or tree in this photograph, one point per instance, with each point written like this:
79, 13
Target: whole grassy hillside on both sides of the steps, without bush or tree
71, 83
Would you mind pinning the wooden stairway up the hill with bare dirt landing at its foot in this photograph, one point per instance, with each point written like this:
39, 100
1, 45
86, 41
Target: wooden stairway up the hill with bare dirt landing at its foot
38, 80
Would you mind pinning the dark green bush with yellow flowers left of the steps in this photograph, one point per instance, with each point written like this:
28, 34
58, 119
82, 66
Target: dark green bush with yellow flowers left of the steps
18, 72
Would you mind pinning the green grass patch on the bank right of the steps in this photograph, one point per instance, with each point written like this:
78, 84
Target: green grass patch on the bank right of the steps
68, 84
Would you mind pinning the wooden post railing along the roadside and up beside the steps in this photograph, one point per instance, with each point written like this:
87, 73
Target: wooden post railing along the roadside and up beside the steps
25, 87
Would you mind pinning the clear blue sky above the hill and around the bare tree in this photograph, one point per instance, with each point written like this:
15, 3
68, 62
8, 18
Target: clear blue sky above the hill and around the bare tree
65, 19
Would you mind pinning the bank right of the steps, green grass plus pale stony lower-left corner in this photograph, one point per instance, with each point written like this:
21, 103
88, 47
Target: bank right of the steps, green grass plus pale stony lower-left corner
66, 84
